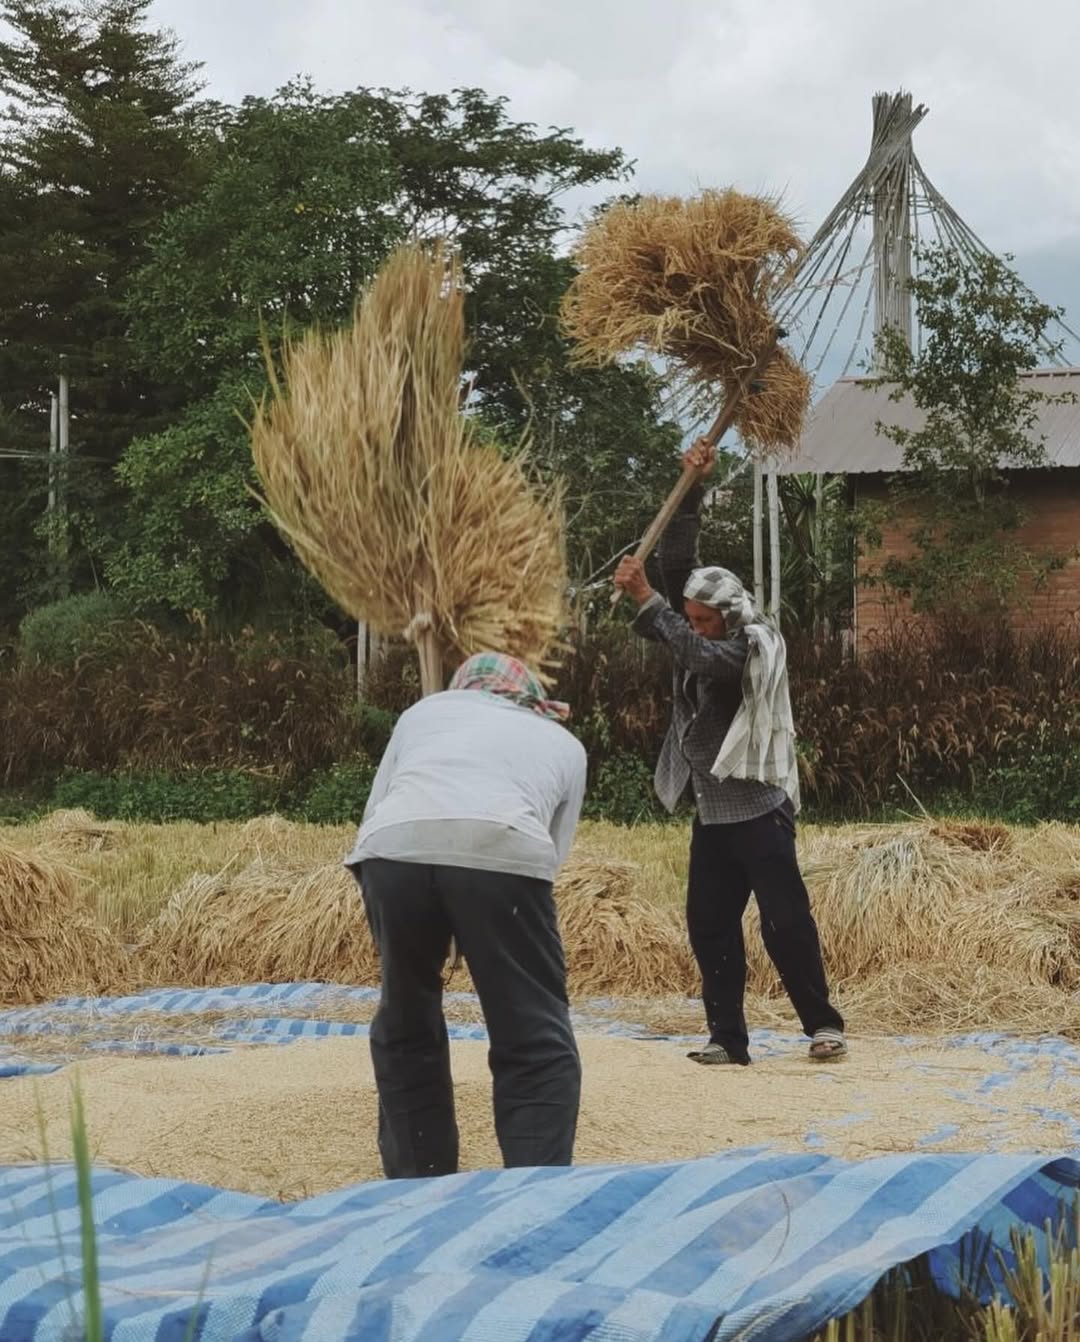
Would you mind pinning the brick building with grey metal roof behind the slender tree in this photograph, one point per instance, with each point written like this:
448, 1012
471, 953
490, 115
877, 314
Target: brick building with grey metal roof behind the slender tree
842, 440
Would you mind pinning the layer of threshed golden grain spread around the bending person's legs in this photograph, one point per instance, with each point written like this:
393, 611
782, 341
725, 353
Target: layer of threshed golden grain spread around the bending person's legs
258, 1123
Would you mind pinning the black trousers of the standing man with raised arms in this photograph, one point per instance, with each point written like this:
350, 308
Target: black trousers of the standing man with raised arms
726, 865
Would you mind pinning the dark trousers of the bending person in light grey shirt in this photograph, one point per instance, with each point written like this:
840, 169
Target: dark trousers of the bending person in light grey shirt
508, 931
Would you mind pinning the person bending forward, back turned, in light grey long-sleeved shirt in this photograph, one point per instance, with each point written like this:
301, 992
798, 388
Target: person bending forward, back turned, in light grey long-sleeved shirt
472, 814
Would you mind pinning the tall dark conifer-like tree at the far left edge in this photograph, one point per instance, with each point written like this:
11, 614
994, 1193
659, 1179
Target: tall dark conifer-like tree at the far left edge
99, 140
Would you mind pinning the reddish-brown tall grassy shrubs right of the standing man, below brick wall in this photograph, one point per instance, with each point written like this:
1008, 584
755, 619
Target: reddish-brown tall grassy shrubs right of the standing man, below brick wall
942, 708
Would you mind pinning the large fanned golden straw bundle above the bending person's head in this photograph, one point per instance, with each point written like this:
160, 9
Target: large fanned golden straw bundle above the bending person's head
384, 491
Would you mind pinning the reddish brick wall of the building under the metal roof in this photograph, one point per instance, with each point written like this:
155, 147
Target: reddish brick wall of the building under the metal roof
1052, 503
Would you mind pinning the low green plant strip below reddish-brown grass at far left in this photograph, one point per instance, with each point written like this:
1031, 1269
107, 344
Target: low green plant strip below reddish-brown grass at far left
203, 795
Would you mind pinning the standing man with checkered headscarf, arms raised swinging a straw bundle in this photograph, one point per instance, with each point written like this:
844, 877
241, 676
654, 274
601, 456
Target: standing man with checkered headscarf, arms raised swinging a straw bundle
731, 748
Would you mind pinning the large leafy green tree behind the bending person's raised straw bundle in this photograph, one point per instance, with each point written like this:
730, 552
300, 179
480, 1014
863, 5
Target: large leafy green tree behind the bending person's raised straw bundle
307, 195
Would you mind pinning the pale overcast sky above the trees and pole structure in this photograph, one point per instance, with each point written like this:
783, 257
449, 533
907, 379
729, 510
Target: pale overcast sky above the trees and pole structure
772, 95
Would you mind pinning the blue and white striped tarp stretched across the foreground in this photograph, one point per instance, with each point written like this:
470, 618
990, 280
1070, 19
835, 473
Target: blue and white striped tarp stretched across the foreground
748, 1245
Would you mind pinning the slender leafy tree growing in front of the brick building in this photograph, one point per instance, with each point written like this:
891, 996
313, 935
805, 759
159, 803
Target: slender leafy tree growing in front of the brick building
983, 329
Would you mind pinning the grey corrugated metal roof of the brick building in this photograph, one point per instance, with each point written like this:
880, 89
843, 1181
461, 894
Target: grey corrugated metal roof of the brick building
842, 438
